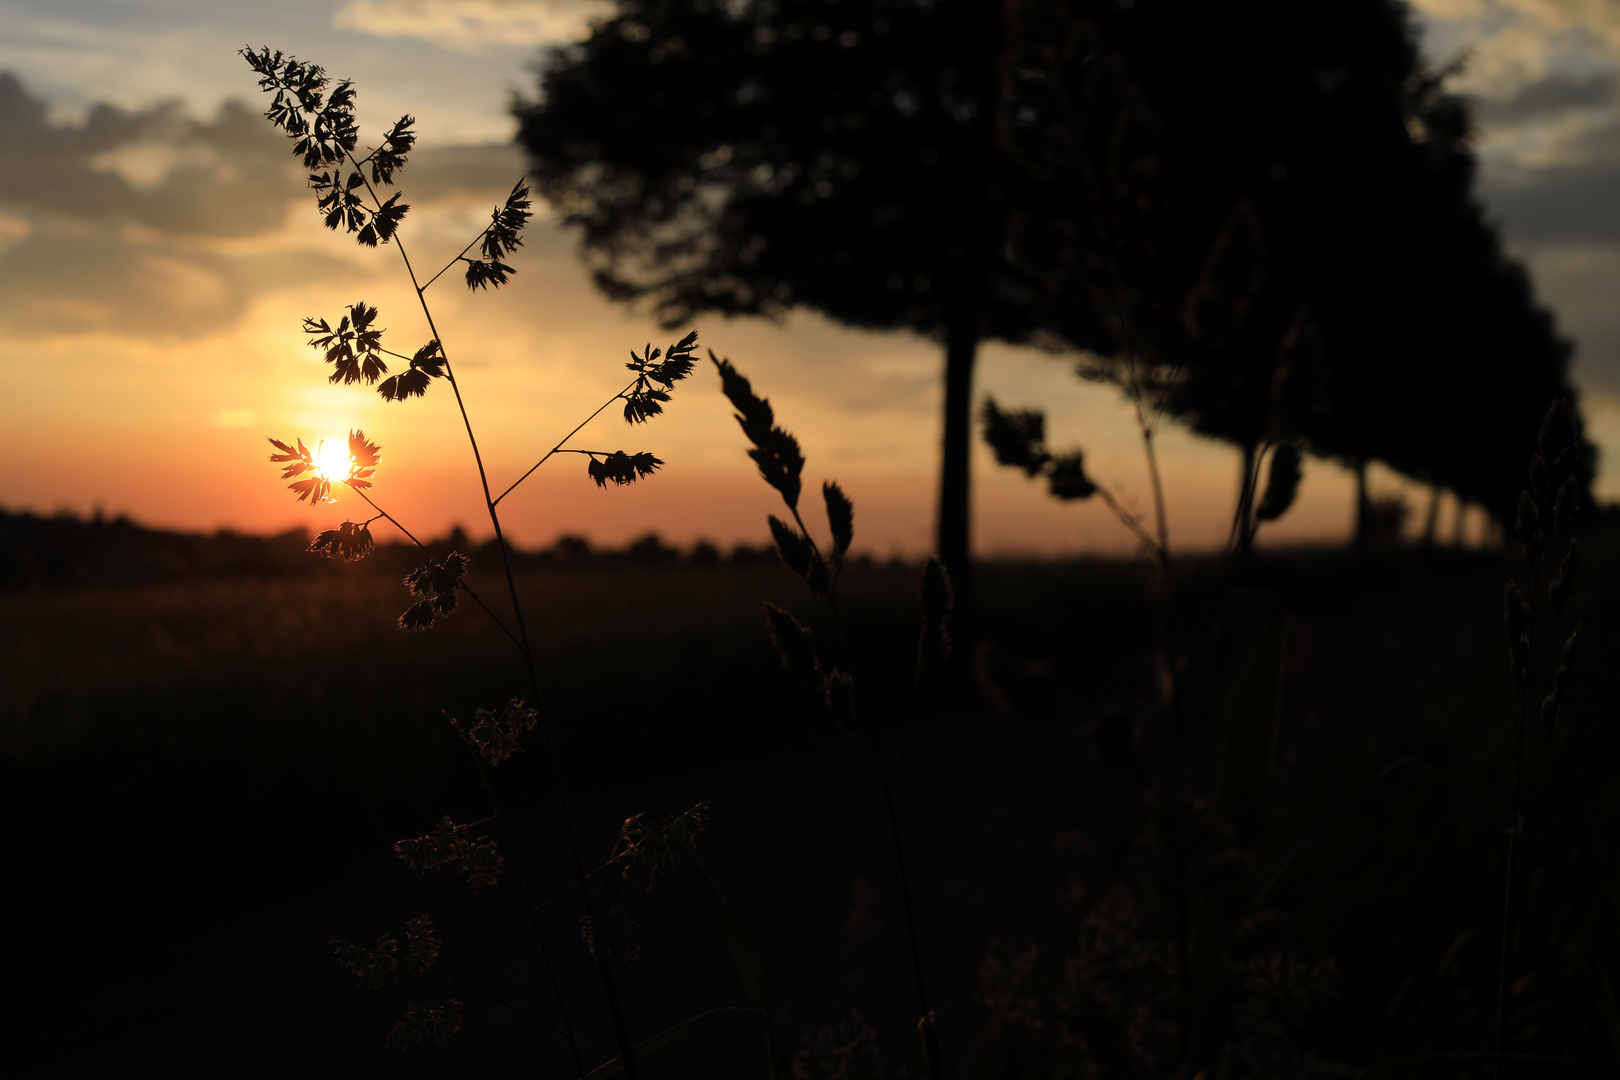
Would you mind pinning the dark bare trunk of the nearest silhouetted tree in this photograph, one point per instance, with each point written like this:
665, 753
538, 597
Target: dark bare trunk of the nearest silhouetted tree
955, 550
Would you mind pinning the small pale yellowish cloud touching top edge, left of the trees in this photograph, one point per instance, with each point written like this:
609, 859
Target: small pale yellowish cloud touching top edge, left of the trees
469, 25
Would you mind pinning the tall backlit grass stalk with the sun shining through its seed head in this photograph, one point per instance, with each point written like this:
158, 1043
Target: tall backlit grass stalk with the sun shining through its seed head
349, 189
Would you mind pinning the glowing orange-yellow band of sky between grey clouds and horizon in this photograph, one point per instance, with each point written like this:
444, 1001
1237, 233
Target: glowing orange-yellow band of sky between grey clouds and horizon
173, 432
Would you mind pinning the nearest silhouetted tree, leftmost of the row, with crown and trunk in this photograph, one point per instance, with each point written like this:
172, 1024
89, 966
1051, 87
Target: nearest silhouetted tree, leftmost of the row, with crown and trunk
757, 156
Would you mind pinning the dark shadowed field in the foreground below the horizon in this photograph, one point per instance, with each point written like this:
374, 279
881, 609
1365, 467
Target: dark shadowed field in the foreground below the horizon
203, 781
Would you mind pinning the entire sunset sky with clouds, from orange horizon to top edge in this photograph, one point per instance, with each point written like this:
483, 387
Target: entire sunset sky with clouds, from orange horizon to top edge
160, 250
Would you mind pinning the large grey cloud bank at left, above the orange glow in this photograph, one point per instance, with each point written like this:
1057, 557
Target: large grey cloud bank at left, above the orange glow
155, 224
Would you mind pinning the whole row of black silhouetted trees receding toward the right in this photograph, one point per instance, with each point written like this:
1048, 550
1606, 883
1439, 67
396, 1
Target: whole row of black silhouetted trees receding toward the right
1174, 187
